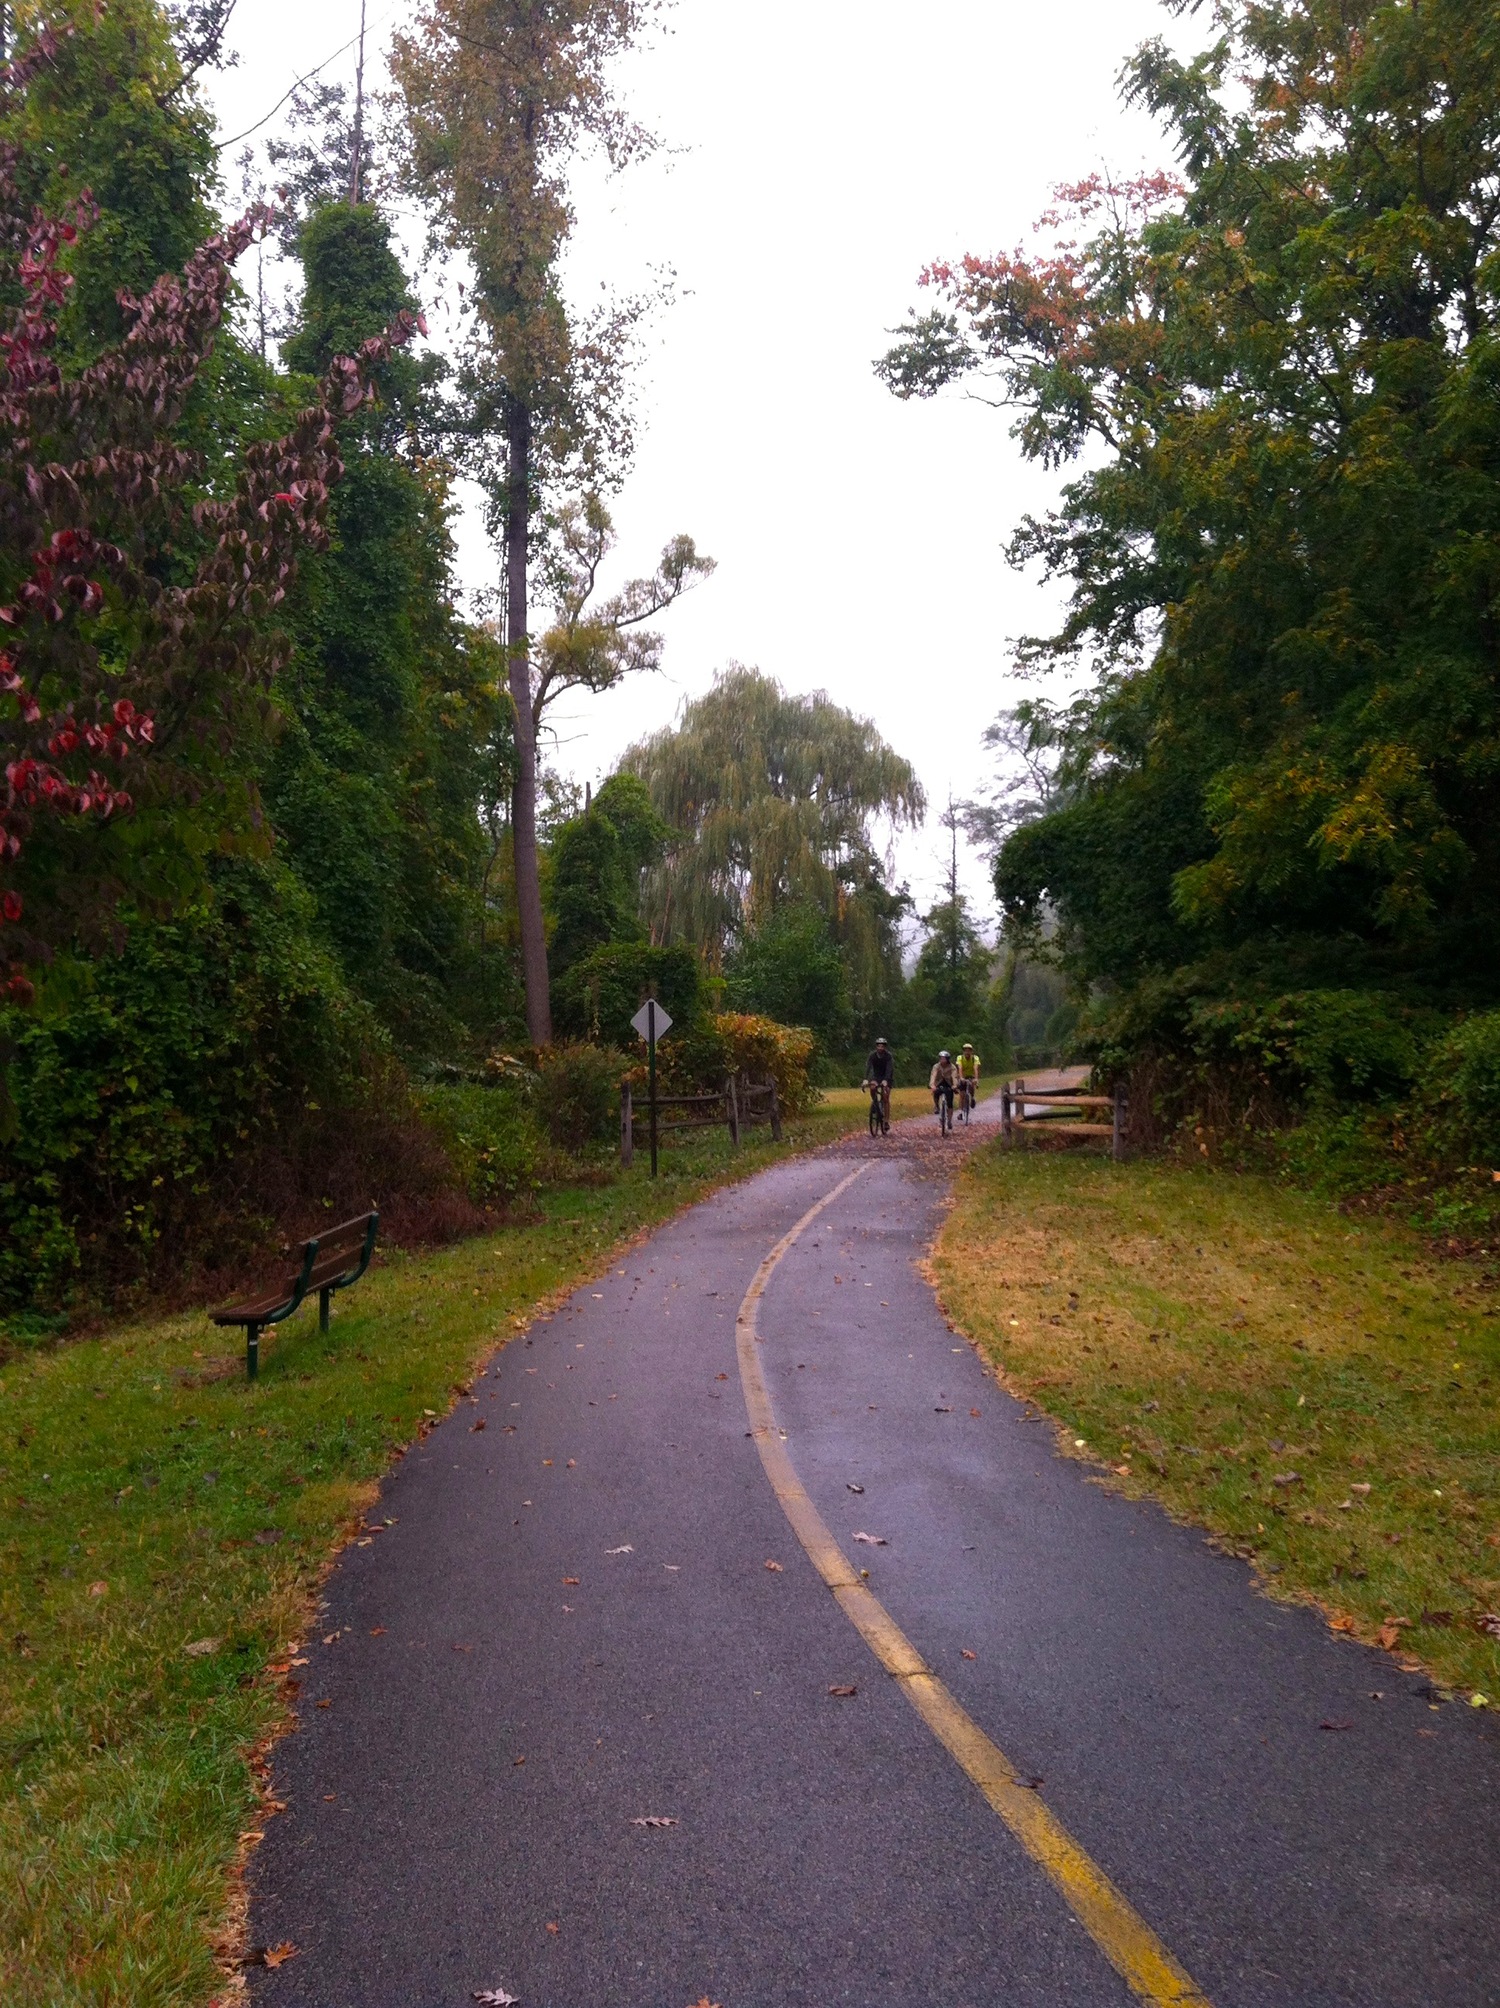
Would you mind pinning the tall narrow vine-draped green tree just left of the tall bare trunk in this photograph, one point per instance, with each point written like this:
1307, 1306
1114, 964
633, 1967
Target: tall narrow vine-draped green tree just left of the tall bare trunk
395, 726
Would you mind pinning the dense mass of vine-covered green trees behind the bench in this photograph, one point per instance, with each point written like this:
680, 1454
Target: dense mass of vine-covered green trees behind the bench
294, 897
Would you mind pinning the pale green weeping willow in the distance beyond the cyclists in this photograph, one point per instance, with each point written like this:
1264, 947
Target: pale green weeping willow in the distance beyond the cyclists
774, 800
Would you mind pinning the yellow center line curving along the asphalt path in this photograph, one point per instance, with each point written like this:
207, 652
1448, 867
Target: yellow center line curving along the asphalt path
1119, 1933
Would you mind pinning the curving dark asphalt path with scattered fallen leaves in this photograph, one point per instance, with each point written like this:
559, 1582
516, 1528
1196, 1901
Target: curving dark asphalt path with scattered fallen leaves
611, 1712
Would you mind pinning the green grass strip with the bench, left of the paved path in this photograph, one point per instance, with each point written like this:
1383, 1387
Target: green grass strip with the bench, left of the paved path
164, 1531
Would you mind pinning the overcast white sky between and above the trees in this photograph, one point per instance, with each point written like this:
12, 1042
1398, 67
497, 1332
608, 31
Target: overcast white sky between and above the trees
816, 156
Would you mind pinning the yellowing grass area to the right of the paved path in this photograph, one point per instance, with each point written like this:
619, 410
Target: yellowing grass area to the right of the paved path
1316, 1391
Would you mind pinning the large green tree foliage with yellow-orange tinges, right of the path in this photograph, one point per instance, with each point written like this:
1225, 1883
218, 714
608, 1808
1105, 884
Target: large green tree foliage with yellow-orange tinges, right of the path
1284, 370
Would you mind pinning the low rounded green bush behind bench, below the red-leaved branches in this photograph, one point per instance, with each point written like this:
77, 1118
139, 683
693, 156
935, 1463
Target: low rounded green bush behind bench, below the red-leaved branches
138, 1077
